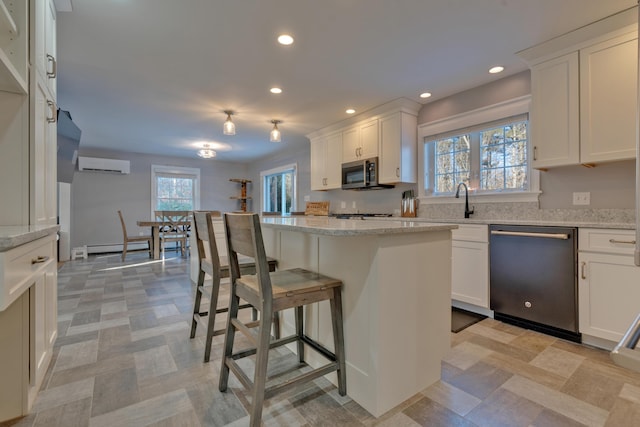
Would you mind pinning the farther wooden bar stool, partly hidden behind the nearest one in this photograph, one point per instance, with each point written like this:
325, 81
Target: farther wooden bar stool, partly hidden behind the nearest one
217, 267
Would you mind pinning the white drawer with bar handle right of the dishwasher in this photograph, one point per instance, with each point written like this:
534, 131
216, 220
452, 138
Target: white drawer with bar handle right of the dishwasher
606, 240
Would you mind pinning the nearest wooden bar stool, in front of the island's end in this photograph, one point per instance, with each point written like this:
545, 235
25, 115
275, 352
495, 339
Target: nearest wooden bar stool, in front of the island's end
268, 293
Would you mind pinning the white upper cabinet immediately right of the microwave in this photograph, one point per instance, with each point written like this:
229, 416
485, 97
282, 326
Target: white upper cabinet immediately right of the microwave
398, 148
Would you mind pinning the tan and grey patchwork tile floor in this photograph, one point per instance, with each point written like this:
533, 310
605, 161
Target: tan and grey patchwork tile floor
124, 358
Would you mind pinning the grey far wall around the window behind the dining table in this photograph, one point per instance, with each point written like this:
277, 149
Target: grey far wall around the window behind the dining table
96, 197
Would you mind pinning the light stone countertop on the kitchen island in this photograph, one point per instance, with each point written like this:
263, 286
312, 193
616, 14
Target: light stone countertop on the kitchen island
350, 227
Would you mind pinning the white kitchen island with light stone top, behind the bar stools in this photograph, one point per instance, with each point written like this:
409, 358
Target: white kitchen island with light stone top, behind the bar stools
396, 298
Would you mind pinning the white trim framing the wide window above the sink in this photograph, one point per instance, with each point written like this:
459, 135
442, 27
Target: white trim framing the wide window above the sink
512, 107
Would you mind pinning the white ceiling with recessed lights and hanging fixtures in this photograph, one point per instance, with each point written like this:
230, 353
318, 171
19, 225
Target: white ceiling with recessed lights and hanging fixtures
153, 76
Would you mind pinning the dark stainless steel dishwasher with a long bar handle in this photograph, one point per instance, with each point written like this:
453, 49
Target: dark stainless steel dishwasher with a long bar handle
533, 278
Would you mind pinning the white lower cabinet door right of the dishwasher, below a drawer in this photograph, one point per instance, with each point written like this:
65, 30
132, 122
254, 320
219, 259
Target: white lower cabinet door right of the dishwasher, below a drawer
609, 291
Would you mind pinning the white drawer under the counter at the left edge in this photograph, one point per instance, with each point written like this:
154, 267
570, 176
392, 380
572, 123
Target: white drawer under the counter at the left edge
19, 265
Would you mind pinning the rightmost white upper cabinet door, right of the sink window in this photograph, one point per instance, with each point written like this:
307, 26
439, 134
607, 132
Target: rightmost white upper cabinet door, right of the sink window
608, 98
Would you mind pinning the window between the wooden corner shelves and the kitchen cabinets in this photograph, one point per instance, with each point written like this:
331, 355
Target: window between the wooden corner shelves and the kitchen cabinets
279, 189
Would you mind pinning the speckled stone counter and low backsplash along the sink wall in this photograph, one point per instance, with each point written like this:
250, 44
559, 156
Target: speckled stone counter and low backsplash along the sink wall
526, 211
